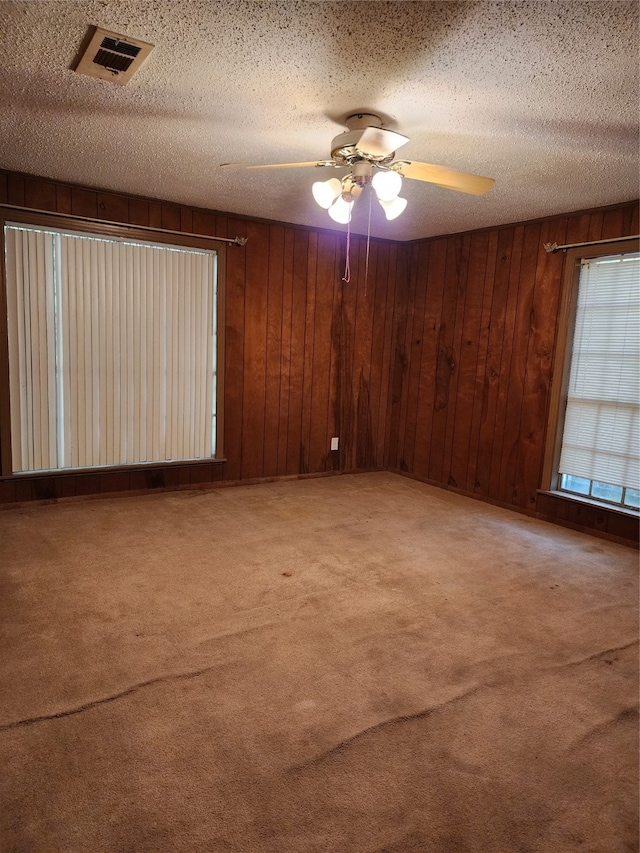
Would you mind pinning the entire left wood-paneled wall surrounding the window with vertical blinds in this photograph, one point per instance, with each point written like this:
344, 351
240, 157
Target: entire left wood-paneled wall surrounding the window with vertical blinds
307, 355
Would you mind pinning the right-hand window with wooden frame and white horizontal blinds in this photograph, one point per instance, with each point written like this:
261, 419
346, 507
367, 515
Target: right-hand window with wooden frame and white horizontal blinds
597, 450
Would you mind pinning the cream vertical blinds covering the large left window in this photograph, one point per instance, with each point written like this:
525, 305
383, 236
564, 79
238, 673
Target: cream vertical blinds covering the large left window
112, 349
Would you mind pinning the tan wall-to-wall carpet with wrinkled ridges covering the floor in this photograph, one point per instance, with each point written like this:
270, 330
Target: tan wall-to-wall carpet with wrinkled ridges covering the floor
354, 664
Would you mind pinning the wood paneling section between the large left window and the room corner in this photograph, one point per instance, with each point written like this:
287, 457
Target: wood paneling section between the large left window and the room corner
306, 354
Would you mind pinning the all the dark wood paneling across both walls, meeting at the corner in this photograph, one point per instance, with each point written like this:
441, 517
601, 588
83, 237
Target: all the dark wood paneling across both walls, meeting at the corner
437, 362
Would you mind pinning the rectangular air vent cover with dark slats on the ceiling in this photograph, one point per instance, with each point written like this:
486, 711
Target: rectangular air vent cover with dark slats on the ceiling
111, 56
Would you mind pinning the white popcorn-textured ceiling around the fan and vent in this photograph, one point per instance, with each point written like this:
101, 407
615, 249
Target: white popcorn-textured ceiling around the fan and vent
541, 96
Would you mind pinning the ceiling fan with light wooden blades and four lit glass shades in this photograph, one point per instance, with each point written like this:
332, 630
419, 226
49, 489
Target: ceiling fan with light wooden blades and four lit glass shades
368, 150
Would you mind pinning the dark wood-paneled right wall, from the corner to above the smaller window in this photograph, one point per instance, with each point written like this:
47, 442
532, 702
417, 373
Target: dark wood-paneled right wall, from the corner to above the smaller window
473, 342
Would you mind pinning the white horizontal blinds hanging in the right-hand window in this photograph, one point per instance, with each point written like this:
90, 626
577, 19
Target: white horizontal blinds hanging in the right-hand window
601, 432
